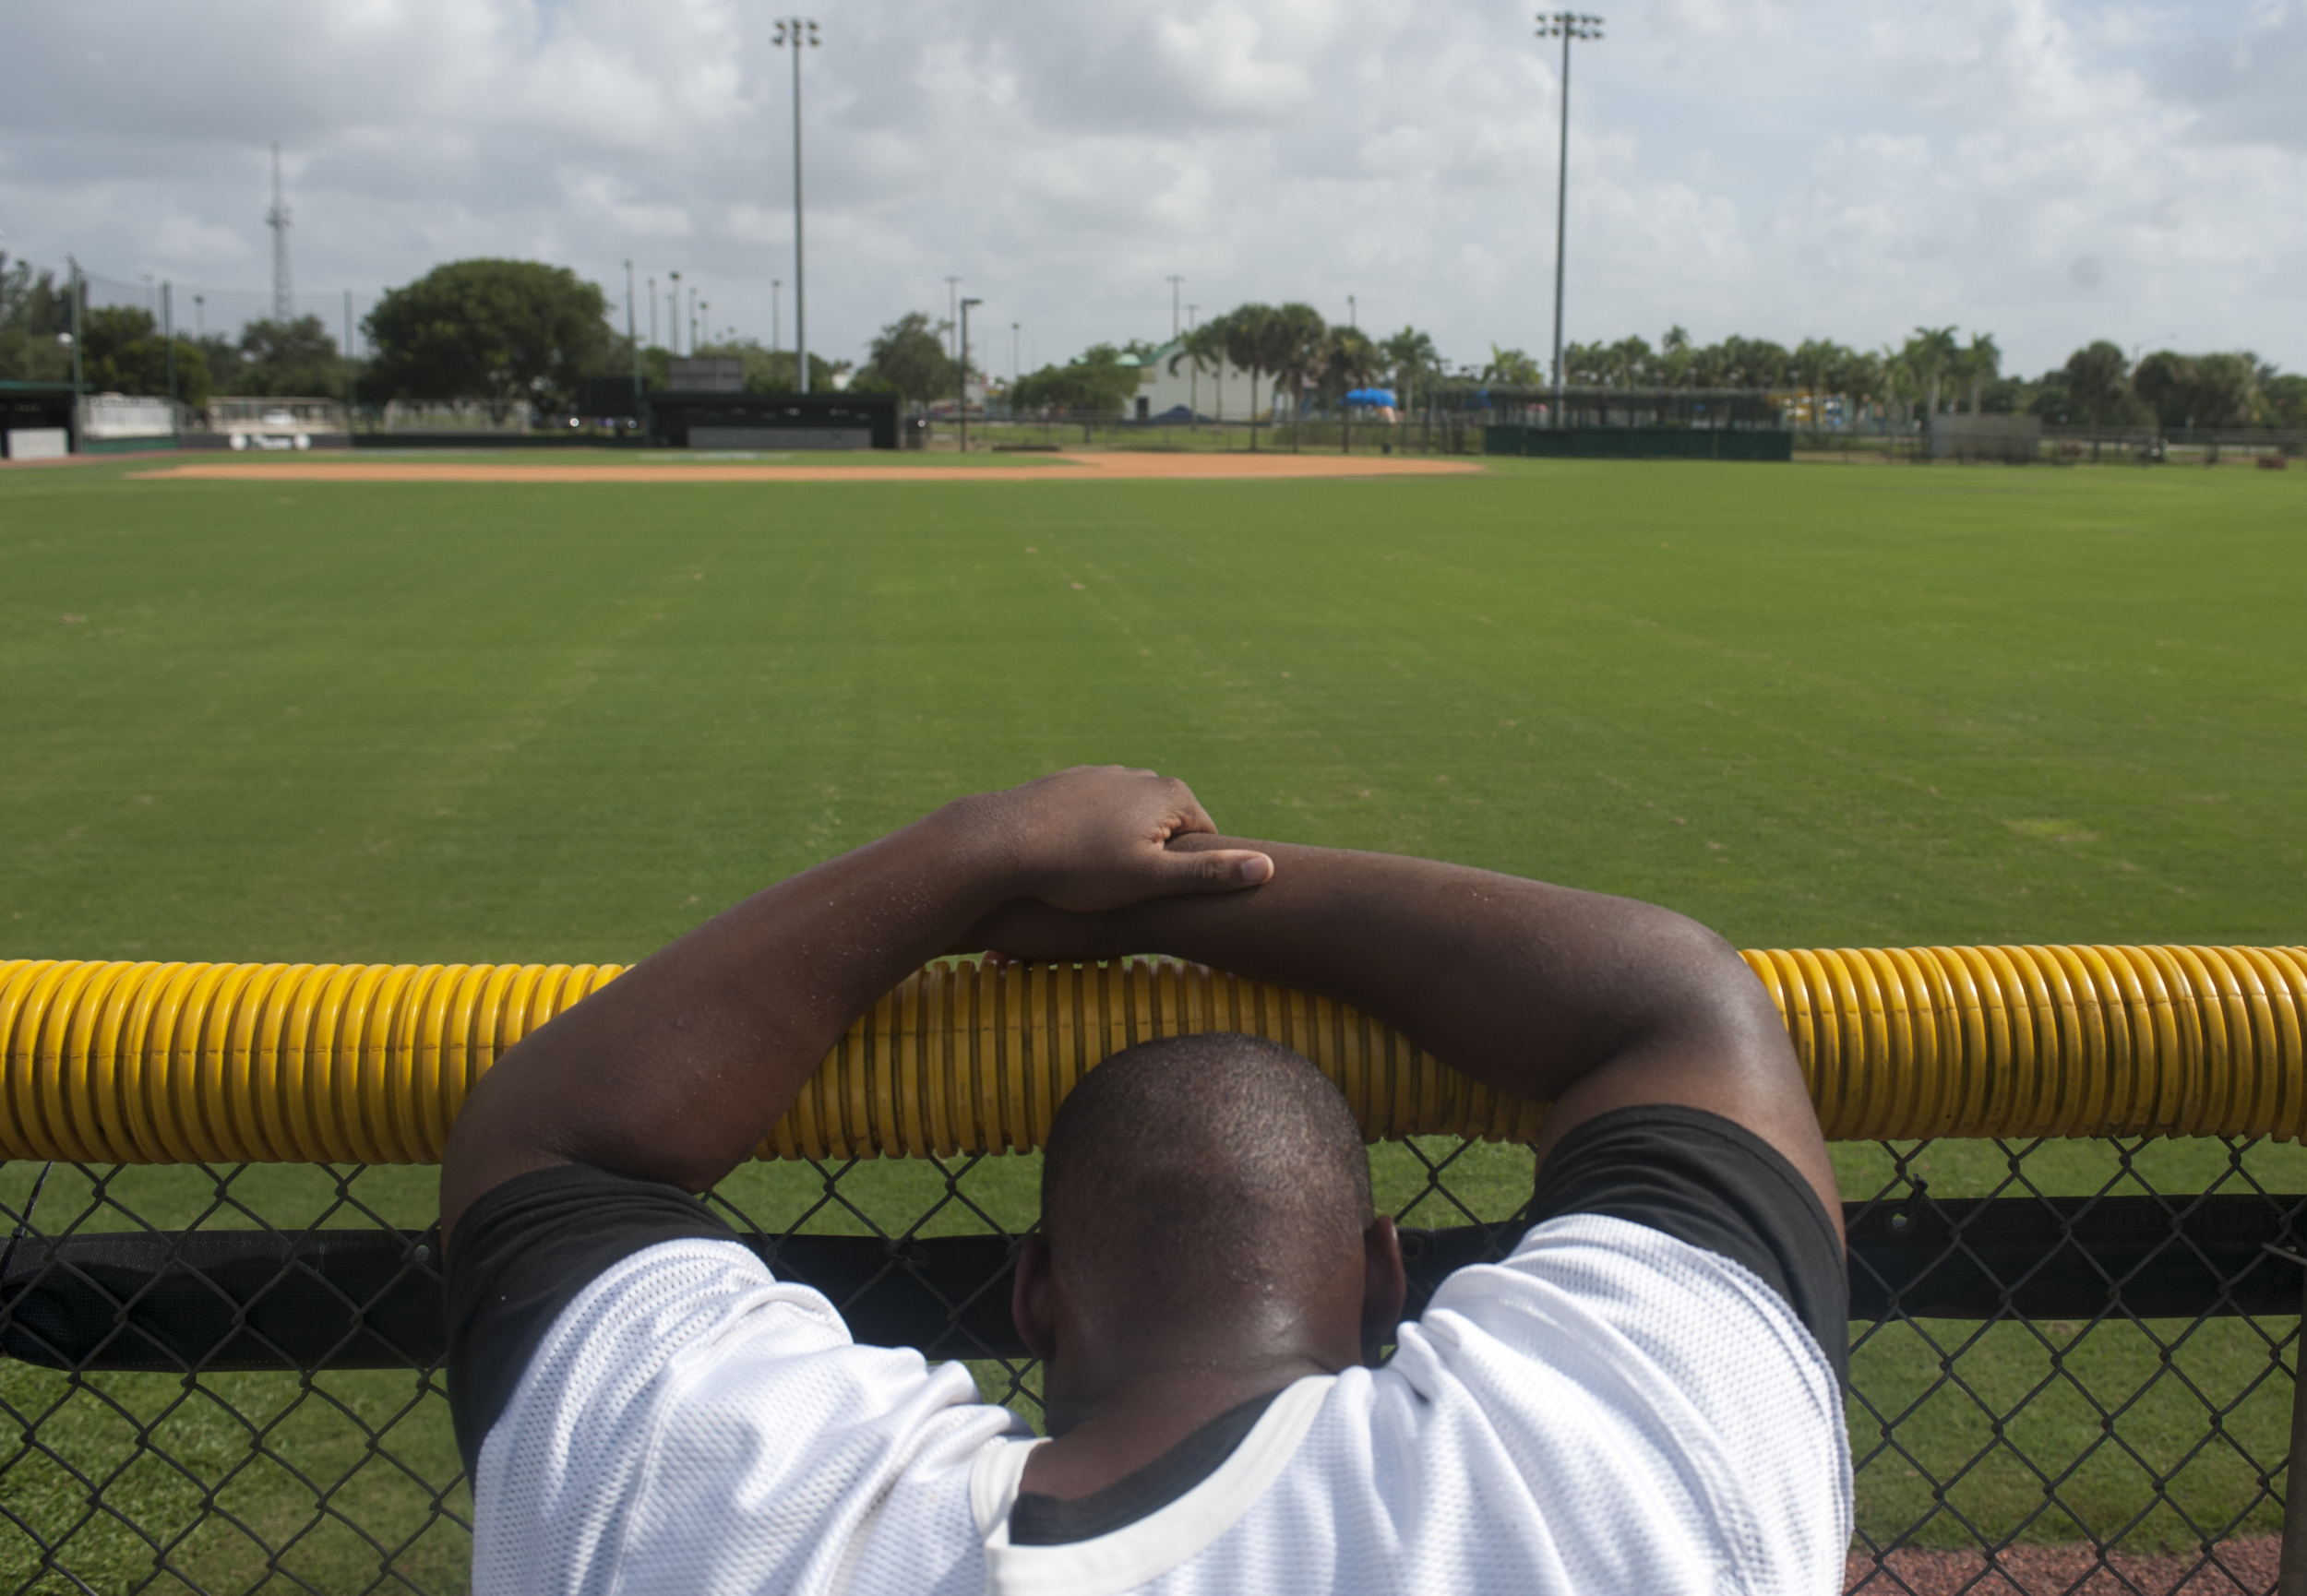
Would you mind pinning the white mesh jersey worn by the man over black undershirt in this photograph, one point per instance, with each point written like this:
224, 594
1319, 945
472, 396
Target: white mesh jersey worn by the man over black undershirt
1609, 1410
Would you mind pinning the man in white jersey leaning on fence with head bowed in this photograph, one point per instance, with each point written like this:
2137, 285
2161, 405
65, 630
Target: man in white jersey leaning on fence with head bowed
1639, 1399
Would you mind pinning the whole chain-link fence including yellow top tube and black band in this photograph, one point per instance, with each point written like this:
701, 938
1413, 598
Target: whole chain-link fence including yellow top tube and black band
2073, 1191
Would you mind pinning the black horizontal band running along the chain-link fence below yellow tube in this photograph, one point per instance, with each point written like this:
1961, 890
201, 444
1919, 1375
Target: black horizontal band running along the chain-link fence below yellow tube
373, 1300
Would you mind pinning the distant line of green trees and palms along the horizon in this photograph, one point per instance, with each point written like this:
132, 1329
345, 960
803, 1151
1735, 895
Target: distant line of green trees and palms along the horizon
523, 333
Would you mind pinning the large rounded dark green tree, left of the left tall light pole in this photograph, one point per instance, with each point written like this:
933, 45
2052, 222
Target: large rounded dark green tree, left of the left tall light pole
499, 331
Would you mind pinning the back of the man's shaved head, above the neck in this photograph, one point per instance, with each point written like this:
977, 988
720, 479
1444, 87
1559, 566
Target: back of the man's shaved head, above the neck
1203, 1170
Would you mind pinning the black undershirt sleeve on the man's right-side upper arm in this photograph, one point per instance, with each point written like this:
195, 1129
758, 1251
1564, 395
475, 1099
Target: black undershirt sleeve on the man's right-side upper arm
1718, 1187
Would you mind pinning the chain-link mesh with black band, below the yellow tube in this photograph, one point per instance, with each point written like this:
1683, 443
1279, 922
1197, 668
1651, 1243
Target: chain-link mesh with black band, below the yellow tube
230, 1378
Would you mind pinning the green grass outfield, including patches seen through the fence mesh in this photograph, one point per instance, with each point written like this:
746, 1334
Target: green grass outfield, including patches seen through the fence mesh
1805, 705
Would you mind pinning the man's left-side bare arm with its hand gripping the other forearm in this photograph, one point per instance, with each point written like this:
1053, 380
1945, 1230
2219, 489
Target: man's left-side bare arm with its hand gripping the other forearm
677, 1069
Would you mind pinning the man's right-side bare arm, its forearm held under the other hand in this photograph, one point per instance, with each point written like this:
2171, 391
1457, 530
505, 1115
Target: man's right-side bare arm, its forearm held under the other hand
1547, 993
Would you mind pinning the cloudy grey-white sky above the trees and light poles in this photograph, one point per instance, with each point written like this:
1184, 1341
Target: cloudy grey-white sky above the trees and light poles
2041, 170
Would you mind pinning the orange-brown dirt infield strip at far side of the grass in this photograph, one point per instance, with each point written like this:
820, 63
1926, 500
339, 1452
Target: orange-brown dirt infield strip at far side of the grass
1180, 467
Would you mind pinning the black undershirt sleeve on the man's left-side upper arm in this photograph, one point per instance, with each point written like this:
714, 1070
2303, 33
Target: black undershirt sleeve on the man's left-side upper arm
523, 1254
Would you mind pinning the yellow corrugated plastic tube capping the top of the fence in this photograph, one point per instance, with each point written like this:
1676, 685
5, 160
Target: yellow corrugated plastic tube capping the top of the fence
158, 1064
